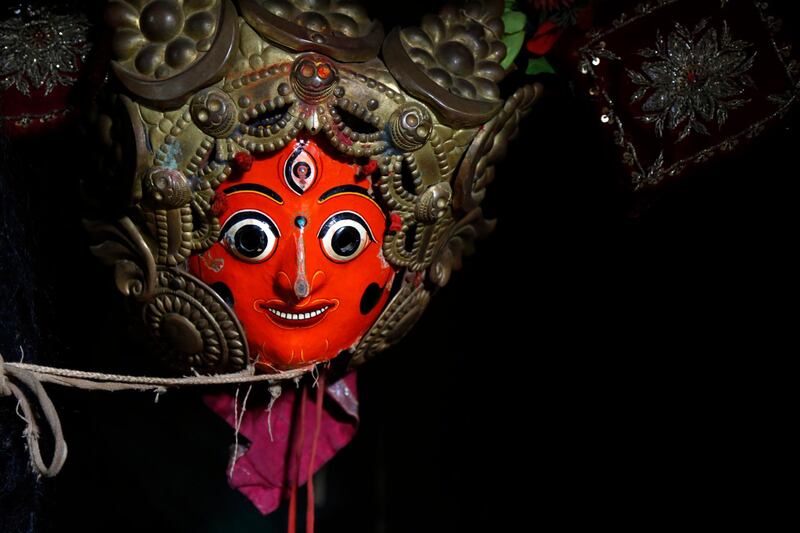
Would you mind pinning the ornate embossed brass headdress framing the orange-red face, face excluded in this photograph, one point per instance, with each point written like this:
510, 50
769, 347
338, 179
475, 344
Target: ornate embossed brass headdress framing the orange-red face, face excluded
205, 82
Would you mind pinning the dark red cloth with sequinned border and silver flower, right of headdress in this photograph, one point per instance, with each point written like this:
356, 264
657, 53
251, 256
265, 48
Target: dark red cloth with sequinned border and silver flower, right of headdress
679, 82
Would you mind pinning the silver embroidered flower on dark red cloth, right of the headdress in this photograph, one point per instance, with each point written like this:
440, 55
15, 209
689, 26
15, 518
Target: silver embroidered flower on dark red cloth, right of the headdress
696, 77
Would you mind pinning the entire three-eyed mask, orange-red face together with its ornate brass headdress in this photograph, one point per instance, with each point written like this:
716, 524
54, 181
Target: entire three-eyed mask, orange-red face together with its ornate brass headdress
276, 102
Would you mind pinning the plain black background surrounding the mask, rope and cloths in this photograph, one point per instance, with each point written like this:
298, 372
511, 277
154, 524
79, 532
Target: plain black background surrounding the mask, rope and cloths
604, 359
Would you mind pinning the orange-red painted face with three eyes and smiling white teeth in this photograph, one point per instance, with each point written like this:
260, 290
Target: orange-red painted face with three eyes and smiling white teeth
300, 256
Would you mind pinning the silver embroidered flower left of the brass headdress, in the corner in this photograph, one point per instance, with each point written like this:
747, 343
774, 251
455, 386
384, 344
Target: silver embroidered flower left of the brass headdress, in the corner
41, 49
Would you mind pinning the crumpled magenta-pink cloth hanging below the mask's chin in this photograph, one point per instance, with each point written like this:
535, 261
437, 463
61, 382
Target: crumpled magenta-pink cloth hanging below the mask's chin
262, 472
